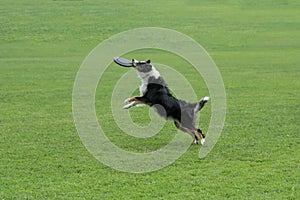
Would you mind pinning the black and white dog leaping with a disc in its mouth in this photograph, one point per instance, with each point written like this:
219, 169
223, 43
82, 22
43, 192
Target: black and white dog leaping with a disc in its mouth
155, 93
